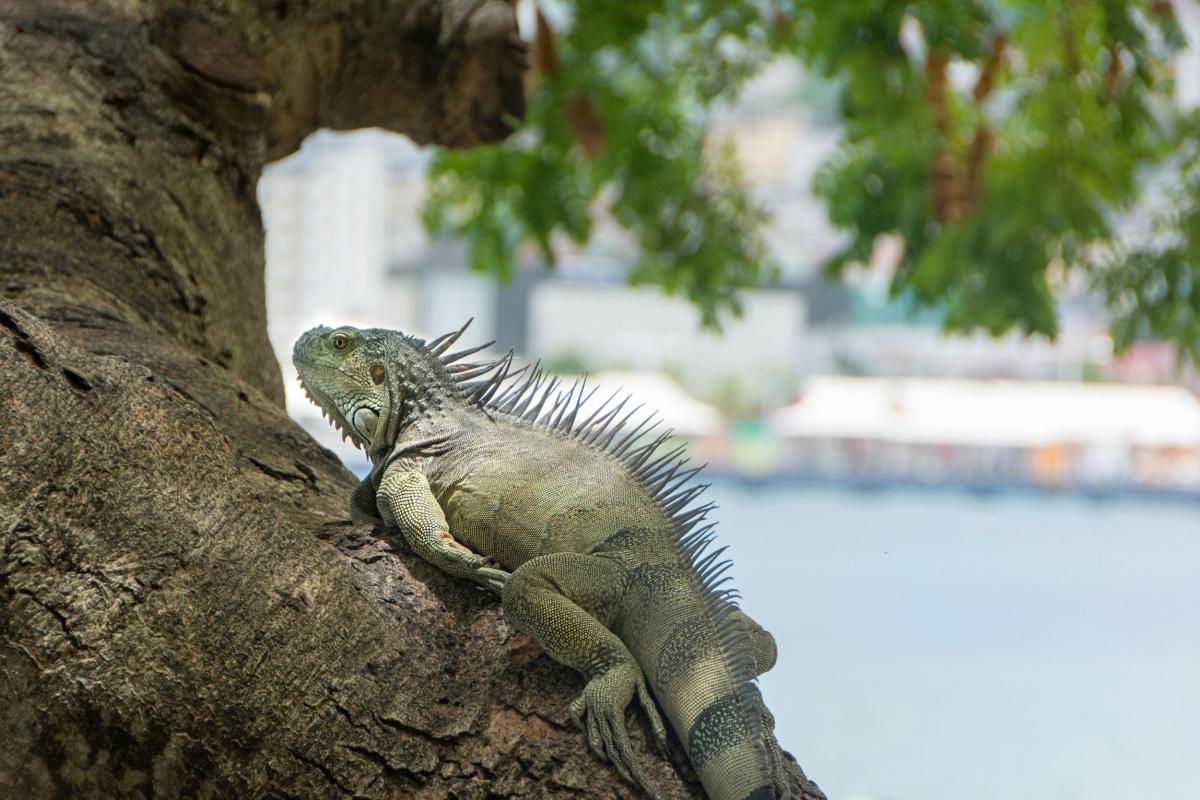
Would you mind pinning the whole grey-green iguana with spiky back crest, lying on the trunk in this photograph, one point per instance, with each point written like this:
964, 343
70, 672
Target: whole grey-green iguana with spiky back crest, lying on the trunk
584, 528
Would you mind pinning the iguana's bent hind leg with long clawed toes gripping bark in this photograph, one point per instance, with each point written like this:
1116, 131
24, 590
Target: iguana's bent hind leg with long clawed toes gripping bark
567, 601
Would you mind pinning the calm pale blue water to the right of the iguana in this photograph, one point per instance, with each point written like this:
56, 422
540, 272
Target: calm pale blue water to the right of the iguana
955, 647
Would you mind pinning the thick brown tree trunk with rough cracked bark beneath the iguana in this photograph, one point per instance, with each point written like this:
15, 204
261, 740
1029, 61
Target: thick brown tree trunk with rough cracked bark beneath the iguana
185, 610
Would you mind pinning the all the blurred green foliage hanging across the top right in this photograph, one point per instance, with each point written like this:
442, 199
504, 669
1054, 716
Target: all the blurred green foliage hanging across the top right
1006, 143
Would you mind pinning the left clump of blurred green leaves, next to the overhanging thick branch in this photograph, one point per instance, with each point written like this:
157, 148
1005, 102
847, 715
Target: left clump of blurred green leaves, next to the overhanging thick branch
623, 93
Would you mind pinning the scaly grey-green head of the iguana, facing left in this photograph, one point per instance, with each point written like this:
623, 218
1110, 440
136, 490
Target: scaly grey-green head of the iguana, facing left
371, 382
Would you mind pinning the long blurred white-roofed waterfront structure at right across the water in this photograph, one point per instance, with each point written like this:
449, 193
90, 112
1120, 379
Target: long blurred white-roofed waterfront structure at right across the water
1053, 434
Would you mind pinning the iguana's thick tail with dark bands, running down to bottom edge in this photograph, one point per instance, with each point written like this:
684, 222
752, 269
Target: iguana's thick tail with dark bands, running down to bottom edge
697, 653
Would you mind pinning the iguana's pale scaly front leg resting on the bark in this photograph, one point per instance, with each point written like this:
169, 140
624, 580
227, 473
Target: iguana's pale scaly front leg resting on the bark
406, 502
